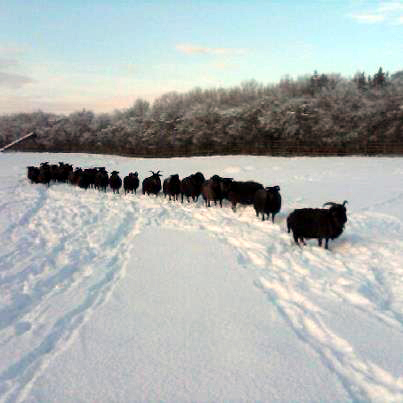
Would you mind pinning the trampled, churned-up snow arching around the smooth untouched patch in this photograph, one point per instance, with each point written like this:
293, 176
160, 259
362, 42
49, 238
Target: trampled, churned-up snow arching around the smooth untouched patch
65, 249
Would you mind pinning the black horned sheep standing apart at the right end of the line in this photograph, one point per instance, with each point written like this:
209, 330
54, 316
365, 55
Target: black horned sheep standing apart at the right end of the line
318, 223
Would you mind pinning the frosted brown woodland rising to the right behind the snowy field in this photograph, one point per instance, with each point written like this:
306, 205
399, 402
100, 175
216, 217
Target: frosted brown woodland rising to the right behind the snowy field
318, 114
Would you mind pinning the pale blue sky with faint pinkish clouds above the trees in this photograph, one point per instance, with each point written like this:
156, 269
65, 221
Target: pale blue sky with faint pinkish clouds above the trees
66, 55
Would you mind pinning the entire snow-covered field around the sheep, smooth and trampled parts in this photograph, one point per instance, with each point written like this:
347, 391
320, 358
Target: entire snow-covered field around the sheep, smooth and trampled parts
118, 298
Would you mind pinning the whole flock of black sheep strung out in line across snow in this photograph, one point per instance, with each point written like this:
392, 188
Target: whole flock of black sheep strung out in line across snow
321, 224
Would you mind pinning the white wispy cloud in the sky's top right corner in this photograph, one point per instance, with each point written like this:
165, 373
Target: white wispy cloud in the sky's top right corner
383, 12
